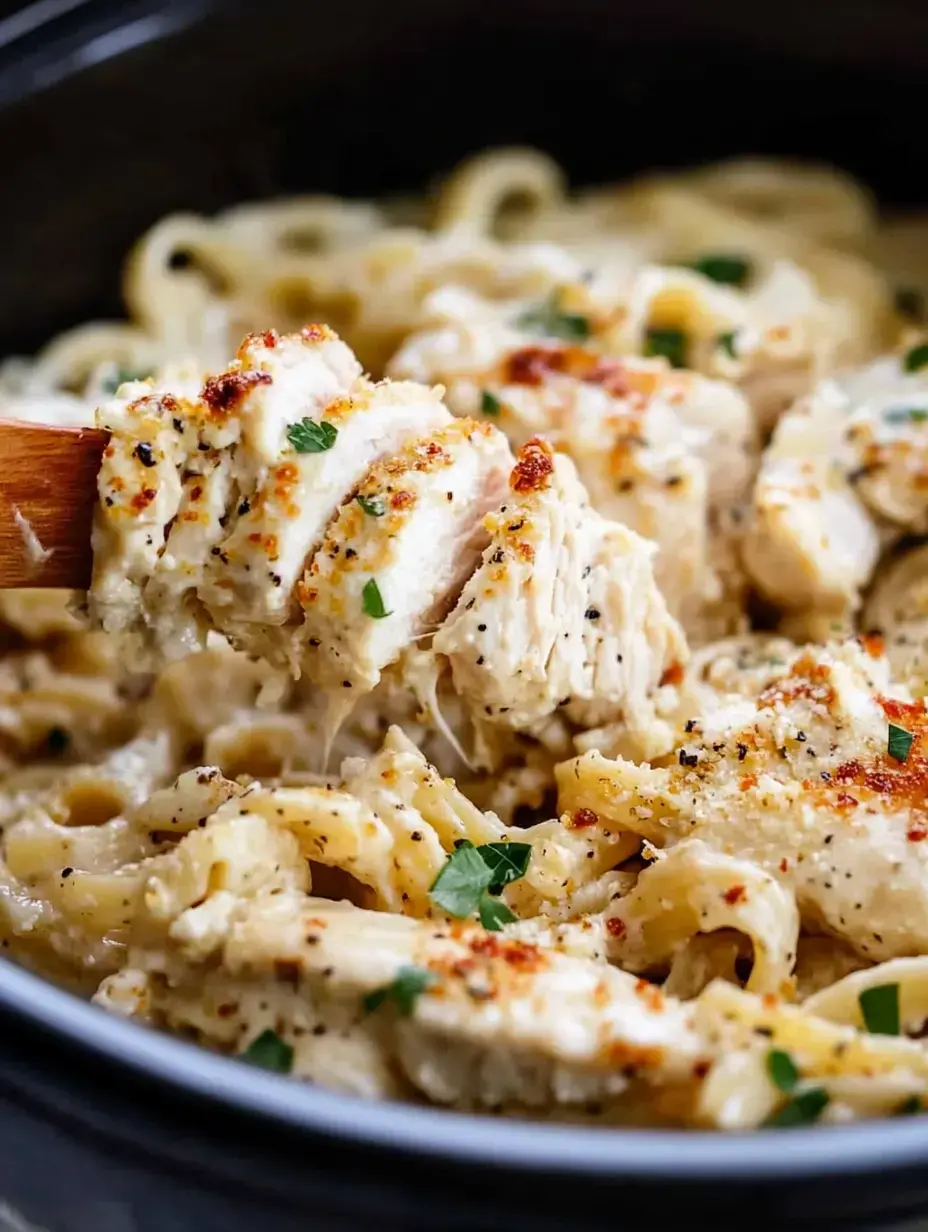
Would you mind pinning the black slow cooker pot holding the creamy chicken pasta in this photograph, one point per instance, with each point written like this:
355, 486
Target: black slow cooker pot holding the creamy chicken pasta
114, 115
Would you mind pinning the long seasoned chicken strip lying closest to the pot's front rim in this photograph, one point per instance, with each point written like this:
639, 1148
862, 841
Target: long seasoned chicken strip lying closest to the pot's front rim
495, 1021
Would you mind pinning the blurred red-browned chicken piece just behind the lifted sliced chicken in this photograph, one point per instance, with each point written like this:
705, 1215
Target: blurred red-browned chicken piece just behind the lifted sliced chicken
660, 450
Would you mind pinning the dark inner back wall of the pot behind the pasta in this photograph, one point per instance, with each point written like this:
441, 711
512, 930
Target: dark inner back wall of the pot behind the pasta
121, 128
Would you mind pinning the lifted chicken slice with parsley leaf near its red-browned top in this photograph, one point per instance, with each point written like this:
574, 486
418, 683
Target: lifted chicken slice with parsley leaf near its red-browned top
294, 477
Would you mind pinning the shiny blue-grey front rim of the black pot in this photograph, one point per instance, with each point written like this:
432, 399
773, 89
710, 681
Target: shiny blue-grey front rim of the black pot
458, 1138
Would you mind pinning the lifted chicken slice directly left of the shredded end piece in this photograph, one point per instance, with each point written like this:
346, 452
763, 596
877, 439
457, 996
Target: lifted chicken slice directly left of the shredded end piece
395, 559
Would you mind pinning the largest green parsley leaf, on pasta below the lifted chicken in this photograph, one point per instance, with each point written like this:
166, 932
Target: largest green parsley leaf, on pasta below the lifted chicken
473, 874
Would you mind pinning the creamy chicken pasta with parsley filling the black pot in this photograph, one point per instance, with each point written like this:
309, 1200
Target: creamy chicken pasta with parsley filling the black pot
503, 678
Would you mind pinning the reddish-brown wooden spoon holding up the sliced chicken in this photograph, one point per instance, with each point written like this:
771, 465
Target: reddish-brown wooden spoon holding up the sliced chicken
47, 484
